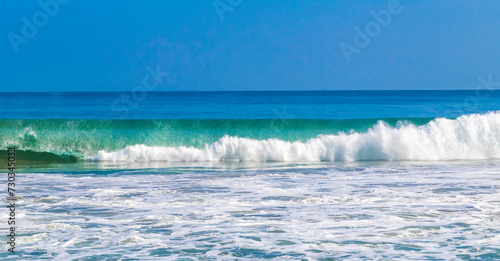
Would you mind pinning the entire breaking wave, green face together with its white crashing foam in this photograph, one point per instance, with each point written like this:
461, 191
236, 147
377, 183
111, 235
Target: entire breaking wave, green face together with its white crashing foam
468, 137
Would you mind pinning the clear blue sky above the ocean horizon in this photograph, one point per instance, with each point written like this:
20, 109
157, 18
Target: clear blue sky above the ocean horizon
258, 45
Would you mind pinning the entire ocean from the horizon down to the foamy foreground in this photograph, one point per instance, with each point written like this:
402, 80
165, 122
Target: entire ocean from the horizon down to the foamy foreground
295, 175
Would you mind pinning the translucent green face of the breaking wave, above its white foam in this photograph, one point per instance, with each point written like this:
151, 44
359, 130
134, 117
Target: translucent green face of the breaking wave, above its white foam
70, 139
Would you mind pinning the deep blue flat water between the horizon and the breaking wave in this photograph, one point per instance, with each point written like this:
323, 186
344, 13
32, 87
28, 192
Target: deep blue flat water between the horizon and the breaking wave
248, 105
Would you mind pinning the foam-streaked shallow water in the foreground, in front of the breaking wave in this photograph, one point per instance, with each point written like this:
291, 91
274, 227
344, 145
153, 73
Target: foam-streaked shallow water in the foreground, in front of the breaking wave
390, 211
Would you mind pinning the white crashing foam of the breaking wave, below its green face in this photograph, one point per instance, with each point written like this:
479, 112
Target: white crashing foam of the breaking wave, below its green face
469, 137
